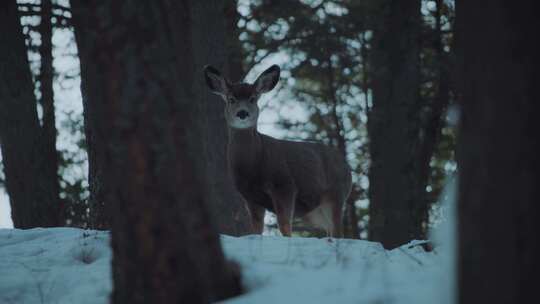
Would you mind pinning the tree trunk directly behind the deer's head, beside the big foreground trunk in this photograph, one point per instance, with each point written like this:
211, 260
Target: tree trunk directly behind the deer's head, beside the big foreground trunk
209, 40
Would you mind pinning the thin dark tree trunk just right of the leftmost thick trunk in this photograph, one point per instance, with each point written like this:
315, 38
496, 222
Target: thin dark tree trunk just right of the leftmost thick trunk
46, 76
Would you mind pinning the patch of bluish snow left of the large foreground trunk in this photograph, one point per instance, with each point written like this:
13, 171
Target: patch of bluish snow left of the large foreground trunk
54, 265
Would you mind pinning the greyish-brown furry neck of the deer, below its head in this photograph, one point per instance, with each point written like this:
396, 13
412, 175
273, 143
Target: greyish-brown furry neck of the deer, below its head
244, 150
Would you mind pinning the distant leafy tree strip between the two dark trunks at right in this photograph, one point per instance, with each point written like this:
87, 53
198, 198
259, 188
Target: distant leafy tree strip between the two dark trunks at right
436, 154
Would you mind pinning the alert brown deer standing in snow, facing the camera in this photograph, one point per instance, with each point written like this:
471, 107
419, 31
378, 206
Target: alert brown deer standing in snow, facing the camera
292, 179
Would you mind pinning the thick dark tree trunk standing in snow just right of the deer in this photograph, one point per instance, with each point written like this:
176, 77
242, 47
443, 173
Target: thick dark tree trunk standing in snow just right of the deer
397, 190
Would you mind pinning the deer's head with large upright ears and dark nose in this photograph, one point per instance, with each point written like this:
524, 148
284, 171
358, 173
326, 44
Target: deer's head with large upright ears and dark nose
241, 110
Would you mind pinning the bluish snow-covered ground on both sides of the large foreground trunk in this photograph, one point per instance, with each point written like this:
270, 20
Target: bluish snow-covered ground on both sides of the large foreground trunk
66, 265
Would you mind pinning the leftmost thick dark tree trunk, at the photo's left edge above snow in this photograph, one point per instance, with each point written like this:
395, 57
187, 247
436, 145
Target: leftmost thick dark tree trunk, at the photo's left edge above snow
30, 179
